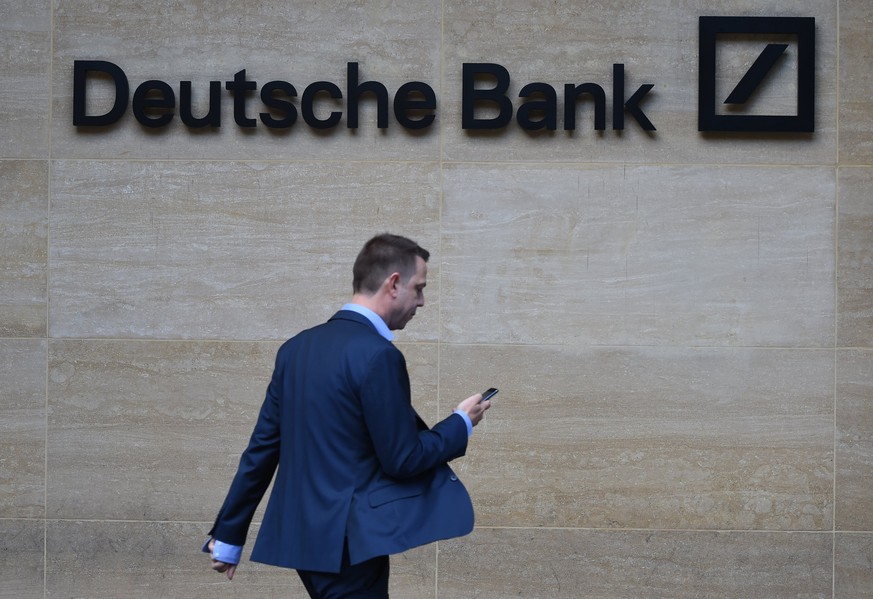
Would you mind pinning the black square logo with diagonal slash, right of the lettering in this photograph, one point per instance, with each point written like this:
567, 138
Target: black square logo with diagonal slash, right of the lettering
763, 47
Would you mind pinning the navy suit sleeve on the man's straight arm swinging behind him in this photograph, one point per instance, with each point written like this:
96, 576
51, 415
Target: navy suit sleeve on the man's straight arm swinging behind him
256, 468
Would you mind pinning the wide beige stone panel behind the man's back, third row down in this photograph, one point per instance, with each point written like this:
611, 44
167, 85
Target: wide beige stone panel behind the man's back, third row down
153, 430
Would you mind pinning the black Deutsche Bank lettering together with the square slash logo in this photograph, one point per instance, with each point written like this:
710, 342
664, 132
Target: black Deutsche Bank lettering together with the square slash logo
768, 45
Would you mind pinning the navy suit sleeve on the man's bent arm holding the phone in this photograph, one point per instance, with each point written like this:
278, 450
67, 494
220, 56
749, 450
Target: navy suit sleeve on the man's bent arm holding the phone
403, 448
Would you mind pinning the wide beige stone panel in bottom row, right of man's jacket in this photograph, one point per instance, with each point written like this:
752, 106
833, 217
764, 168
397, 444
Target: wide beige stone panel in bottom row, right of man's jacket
498, 563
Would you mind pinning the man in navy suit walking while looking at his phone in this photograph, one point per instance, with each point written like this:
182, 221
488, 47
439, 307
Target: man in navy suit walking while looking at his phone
360, 476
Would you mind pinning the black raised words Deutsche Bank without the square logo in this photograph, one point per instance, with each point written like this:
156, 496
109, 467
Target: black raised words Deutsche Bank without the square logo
414, 103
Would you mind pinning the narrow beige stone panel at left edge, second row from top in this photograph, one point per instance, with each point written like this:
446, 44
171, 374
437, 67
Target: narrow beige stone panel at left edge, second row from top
23, 248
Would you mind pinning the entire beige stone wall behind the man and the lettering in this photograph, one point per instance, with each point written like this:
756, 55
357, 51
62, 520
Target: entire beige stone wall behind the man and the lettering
680, 323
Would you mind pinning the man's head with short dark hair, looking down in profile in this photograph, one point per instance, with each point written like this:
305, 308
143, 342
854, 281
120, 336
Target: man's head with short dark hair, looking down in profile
390, 274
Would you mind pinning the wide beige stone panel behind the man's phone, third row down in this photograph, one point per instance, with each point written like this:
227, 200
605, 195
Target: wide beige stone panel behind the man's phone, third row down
655, 438
